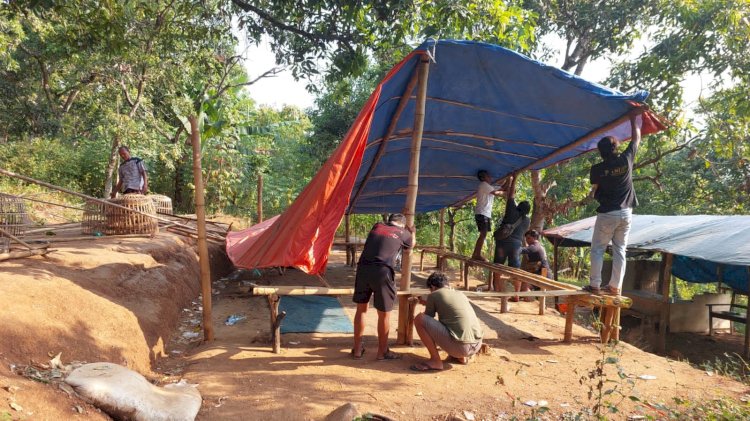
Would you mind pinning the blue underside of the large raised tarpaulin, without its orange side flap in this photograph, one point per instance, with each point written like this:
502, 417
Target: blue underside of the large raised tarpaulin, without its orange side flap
488, 108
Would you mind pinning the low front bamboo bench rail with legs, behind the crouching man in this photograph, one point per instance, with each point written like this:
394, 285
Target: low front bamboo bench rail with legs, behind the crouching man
274, 294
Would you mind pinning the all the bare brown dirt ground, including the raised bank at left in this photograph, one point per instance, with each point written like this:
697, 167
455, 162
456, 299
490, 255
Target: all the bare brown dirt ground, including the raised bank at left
135, 302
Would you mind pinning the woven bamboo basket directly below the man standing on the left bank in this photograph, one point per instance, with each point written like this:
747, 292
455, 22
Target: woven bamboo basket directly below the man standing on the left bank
121, 221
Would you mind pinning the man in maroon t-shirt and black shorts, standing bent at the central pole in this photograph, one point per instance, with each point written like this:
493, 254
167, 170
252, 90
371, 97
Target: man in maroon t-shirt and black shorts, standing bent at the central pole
375, 276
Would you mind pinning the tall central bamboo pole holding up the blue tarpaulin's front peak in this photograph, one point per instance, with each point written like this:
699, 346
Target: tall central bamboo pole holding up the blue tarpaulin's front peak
423, 70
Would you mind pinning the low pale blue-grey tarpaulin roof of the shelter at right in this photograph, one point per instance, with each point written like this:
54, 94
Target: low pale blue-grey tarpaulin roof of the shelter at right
700, 244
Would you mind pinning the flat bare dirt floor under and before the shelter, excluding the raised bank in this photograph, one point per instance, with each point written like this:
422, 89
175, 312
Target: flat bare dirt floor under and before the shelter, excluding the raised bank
241, 379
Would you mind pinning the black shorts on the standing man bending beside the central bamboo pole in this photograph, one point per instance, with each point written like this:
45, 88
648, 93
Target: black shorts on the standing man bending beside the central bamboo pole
378, 280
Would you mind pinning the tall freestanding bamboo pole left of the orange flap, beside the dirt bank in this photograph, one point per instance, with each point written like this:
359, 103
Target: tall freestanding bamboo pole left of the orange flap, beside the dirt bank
200, 213
